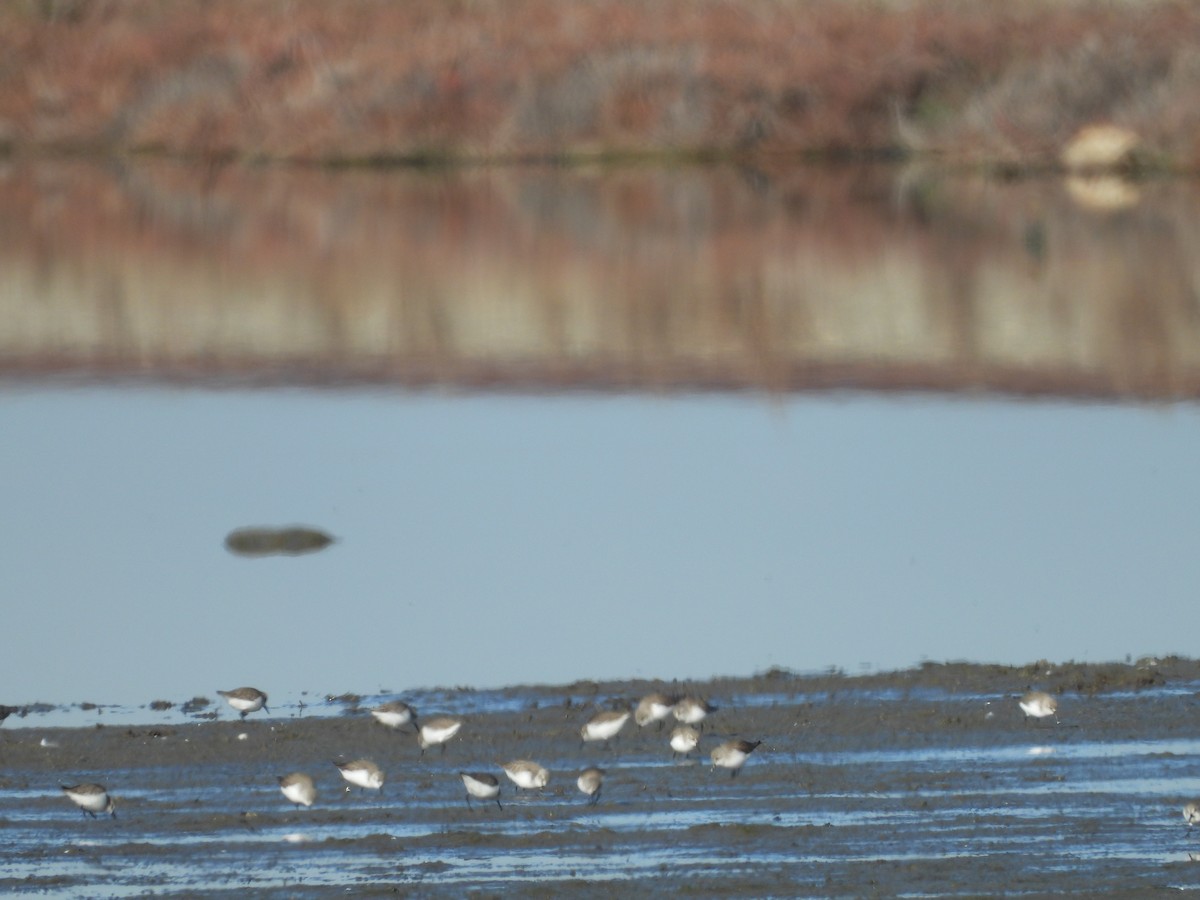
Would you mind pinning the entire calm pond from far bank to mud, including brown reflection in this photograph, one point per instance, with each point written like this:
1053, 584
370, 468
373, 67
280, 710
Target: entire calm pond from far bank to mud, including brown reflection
586, 424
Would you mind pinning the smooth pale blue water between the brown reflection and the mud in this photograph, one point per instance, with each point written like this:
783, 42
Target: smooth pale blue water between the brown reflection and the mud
497, 541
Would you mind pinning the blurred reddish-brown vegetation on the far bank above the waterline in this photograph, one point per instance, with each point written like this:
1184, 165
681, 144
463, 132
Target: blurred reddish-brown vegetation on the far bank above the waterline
379, 81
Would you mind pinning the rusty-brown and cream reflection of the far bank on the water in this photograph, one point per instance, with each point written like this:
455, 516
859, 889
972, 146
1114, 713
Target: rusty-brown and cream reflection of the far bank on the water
788, 279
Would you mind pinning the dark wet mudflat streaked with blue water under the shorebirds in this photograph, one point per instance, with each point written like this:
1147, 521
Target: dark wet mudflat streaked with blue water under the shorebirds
922, 783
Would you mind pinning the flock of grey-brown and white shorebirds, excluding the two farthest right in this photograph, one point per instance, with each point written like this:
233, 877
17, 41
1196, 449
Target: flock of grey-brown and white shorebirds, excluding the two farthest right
301, 788
